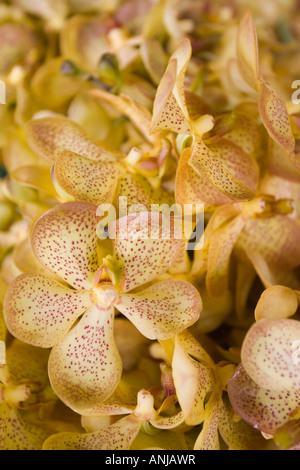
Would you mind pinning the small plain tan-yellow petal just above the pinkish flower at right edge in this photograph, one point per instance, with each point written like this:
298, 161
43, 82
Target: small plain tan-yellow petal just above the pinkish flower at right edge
276, 302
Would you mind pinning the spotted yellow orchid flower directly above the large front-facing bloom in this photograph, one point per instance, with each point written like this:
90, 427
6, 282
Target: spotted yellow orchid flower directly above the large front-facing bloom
102, 174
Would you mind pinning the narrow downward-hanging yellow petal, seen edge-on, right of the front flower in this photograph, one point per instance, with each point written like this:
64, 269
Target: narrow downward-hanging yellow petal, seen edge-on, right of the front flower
221, 246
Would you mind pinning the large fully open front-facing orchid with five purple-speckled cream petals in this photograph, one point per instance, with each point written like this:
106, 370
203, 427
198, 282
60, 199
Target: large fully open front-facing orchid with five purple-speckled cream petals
84, 364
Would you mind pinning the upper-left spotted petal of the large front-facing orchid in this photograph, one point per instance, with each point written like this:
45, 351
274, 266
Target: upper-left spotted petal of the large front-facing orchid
64, 240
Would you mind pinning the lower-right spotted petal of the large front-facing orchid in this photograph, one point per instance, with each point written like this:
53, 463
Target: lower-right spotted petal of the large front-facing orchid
163, 309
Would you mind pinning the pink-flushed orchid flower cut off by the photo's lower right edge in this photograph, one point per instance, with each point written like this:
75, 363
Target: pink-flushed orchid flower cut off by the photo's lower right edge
264, 390
